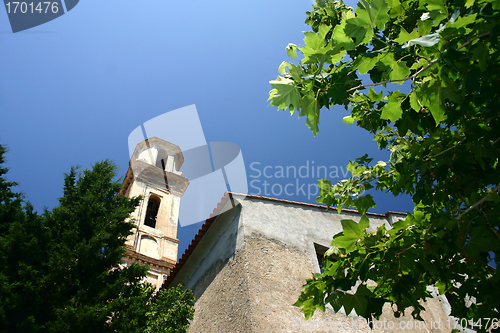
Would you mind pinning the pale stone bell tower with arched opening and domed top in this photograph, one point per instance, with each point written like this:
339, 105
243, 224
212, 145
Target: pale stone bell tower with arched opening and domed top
154, 174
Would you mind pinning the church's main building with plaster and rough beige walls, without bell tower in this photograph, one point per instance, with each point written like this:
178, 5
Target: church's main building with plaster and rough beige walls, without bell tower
247, 266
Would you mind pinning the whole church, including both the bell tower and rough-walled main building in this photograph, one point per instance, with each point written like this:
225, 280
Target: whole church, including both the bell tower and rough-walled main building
246, 265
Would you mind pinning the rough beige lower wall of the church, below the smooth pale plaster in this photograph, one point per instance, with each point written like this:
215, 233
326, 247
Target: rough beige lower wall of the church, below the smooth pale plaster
254, 292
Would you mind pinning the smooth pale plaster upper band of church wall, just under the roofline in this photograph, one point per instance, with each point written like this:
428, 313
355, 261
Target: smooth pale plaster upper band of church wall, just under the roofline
295, 225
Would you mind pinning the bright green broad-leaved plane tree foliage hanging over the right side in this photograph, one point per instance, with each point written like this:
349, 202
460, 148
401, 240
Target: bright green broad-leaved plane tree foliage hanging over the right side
423, 77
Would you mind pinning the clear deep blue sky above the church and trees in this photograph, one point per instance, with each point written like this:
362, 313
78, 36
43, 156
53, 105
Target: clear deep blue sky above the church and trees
73, 89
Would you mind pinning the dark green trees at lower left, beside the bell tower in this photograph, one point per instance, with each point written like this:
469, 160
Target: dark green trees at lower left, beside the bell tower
61, 271
